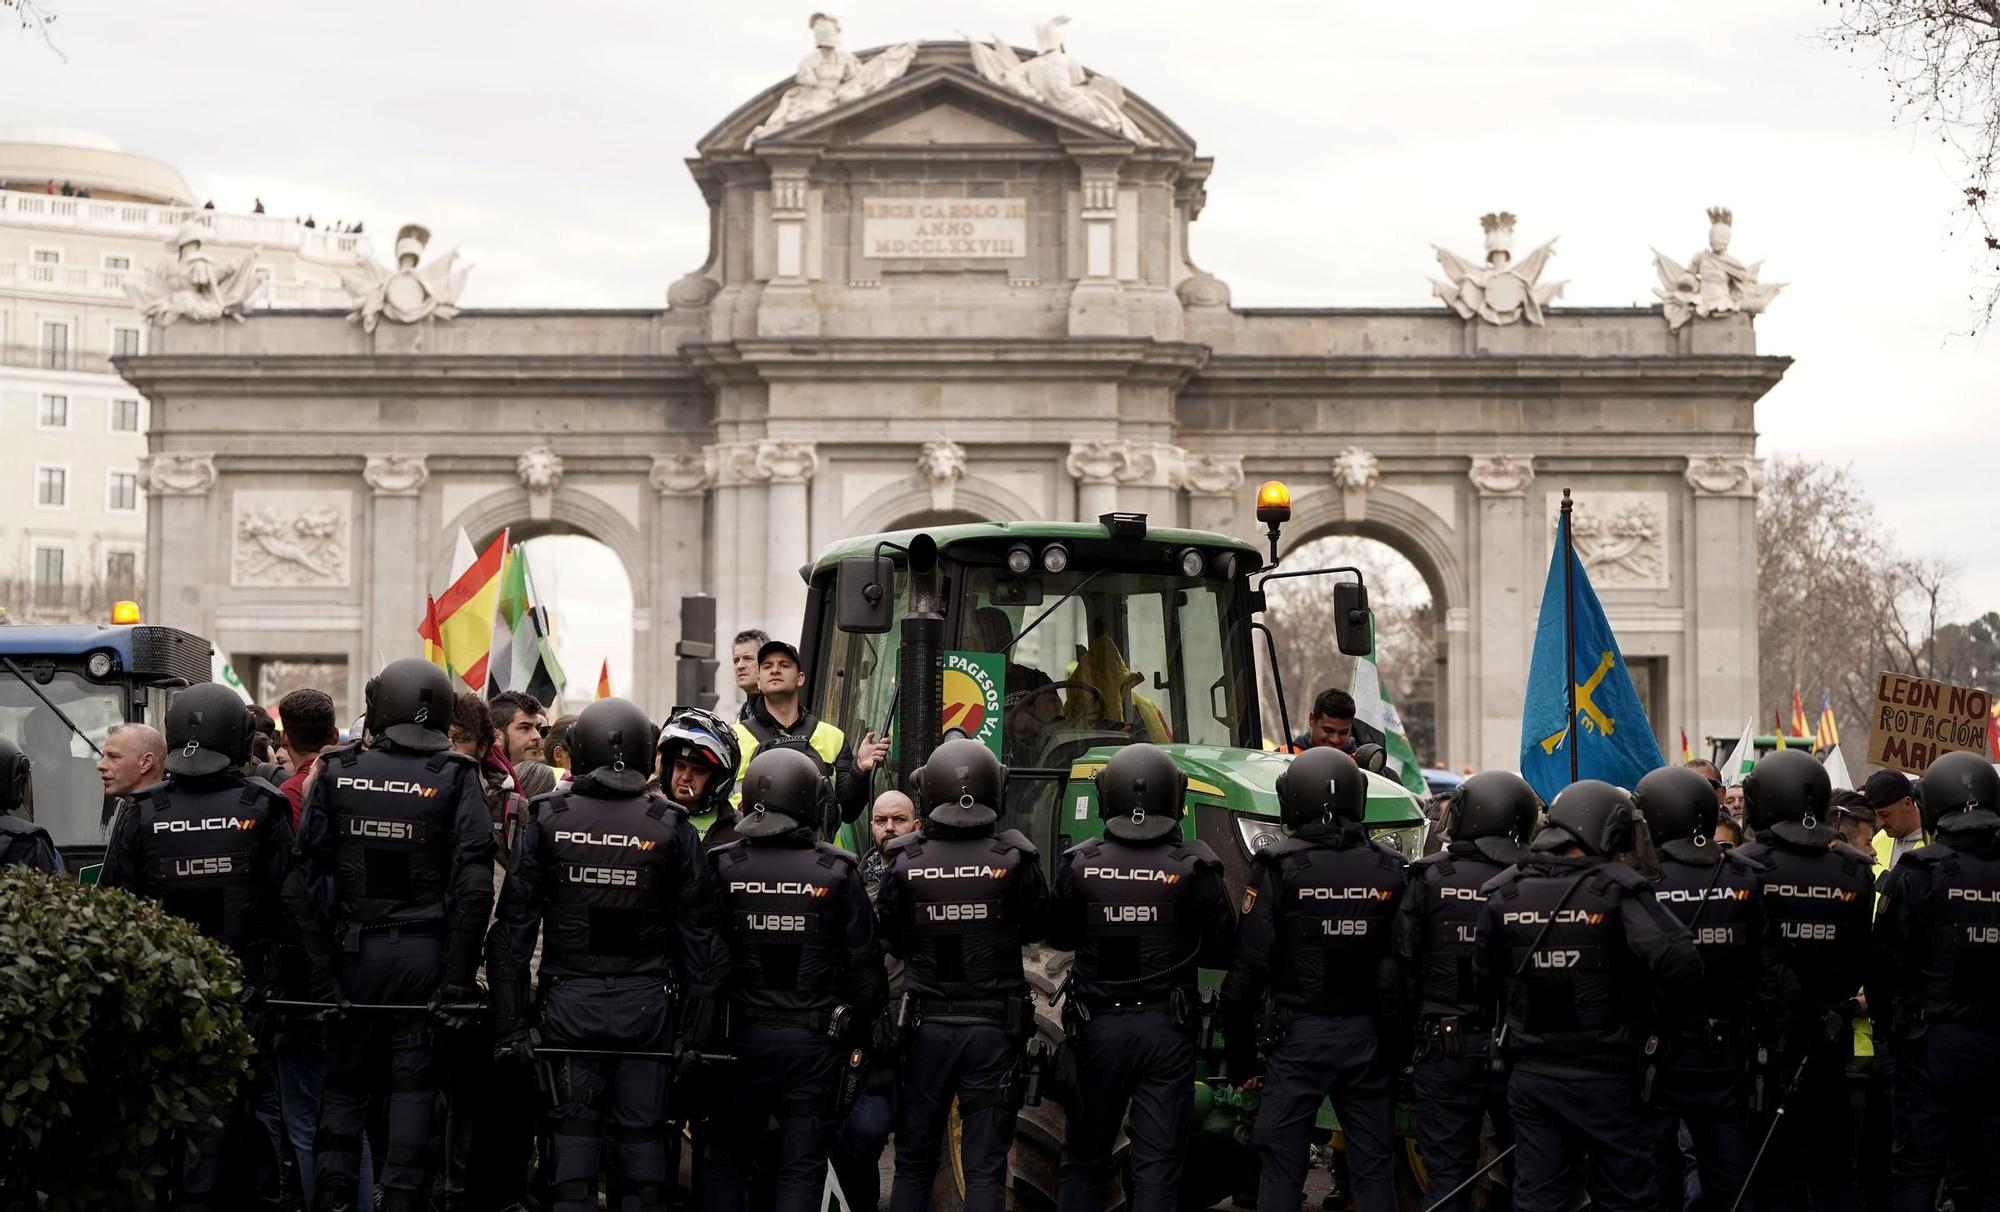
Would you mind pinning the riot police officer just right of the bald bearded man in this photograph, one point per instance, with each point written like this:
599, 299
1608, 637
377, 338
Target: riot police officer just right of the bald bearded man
957, 905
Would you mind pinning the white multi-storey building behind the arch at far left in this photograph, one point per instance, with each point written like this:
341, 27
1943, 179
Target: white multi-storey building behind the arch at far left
73, 433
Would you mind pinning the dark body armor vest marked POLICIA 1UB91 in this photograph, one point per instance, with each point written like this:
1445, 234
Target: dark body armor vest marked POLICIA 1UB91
1143, 925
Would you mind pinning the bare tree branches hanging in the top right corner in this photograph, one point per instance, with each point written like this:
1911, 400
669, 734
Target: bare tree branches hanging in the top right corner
1943, 67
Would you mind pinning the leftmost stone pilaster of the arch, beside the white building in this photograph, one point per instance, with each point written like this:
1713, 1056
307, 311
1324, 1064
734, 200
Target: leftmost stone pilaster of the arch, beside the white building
183, 517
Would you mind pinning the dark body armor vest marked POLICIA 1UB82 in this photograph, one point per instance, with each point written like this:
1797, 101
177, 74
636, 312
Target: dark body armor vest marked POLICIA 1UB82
1819, 905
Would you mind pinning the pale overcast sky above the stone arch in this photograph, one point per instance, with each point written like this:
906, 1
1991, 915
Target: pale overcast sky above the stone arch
549, 139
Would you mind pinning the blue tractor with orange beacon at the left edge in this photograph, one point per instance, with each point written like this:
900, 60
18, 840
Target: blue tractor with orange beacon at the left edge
65, 687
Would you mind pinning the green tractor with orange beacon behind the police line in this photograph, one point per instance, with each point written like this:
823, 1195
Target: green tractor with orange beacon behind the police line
1057, 645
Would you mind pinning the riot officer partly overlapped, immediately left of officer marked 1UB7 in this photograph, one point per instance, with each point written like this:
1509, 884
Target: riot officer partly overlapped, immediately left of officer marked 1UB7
1437, 941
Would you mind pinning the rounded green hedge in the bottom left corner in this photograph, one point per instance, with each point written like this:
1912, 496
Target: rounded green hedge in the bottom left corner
119, 1025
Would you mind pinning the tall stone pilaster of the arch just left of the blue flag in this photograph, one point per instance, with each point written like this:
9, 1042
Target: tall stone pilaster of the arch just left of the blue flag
1503, 581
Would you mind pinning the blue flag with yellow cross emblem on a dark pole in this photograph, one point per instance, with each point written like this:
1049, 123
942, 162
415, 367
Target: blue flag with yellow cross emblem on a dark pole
1611, 733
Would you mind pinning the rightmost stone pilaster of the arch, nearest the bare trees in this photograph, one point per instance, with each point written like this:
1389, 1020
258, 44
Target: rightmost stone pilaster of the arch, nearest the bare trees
1721, 611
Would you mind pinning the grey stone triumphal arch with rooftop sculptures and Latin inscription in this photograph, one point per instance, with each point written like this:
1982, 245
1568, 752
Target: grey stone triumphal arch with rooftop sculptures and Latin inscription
953, 281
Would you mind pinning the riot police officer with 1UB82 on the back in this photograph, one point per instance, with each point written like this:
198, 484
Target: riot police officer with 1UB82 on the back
1817, 899
